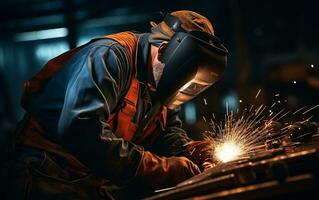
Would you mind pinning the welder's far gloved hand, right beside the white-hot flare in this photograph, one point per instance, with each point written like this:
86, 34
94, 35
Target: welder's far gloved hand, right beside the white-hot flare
201, 153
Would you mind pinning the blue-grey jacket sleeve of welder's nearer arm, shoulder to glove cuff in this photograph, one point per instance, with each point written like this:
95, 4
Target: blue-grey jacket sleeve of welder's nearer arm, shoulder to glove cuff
91, 97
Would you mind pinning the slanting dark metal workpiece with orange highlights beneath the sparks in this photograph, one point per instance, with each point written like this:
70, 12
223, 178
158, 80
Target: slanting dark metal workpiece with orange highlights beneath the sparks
289, 172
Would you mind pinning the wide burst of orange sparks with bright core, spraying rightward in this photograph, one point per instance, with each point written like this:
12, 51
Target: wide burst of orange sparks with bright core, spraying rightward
239, 136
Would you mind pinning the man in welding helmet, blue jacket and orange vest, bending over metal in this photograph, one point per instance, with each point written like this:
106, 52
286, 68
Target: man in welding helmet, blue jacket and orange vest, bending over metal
103, 118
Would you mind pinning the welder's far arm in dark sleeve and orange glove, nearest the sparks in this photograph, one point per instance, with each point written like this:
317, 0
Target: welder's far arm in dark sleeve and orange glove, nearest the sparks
174, 141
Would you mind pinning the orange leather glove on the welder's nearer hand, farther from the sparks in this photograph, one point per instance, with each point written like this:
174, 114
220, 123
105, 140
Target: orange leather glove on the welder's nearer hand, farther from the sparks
159, 172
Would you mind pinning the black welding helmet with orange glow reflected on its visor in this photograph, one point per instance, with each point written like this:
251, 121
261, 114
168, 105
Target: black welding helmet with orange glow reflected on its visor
194, 60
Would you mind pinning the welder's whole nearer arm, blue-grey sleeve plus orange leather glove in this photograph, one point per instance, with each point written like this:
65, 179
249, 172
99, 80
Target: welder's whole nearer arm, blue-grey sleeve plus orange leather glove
94, 94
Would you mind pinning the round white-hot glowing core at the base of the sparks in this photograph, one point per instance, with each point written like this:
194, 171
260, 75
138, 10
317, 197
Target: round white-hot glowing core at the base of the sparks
228, 151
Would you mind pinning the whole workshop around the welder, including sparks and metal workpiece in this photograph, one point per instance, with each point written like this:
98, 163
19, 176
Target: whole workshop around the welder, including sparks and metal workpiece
263, 113
